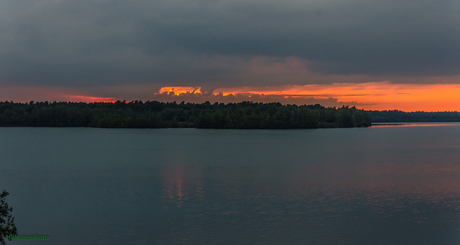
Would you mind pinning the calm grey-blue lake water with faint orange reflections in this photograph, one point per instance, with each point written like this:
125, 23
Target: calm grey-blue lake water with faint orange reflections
396, 184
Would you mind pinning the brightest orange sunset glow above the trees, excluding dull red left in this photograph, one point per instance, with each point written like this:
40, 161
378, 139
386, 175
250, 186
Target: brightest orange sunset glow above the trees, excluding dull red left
368, 96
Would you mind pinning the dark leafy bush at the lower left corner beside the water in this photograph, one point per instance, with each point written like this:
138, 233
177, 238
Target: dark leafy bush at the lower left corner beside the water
7, 226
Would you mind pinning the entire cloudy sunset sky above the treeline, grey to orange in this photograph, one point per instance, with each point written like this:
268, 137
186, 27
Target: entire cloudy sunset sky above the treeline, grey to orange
377, 55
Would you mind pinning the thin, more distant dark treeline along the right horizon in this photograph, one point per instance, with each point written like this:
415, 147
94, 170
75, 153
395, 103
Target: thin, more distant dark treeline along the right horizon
419, 116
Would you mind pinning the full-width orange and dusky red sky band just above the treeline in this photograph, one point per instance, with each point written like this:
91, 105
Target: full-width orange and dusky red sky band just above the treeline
368, 96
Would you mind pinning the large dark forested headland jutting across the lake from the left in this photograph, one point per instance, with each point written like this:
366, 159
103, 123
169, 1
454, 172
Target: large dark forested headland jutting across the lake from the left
154, 114
